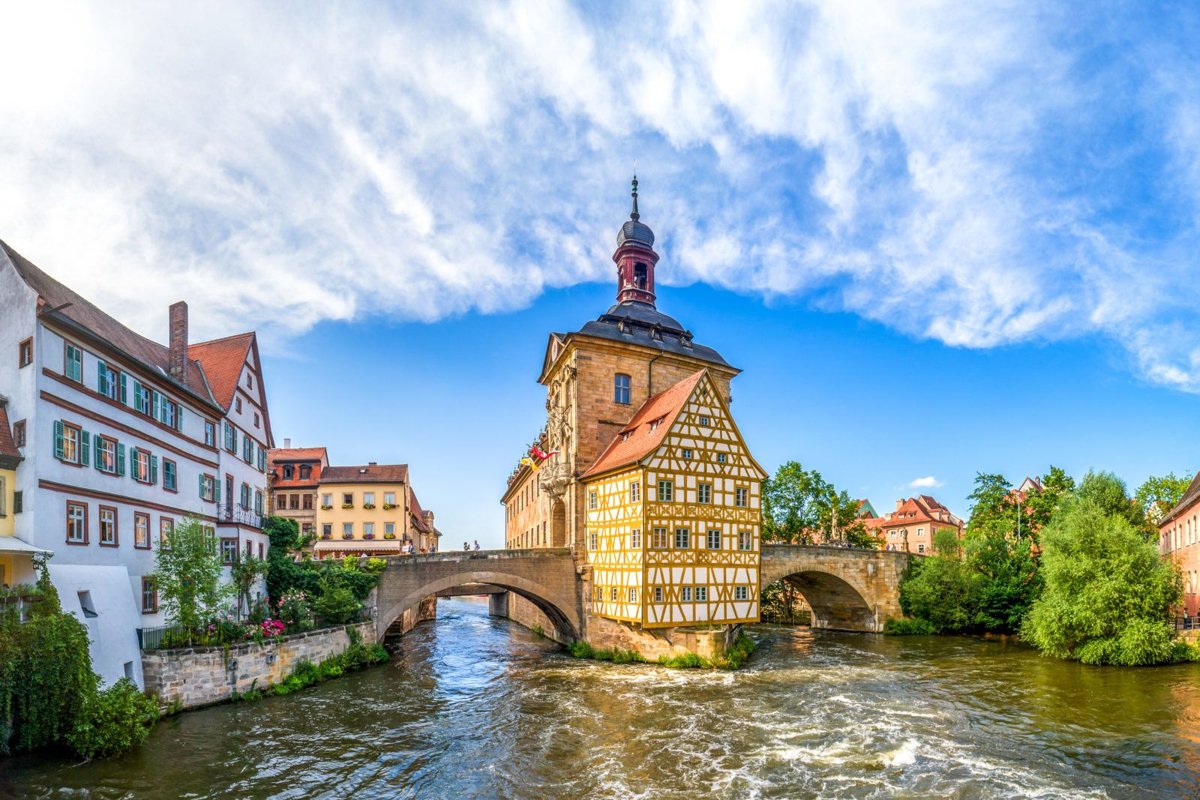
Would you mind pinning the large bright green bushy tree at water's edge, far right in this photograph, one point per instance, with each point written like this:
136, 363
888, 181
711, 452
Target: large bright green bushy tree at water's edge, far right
1107, 593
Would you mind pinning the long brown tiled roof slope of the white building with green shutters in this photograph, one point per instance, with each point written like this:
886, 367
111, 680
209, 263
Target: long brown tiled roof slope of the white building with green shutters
75, 312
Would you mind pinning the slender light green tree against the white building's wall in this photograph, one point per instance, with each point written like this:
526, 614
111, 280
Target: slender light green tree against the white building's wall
189, 576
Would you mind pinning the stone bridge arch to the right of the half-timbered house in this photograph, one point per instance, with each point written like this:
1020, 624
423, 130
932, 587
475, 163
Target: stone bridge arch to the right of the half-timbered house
849, 590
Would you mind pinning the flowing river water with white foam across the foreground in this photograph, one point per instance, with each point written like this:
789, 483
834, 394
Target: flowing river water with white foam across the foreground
481, 708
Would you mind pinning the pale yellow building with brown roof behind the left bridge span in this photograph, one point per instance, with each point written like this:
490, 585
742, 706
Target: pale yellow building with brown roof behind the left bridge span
371, 510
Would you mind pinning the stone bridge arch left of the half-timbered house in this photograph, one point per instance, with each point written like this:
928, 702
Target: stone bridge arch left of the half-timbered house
547, 579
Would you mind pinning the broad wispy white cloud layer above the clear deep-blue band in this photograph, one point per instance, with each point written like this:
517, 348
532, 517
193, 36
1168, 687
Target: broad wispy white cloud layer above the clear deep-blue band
971, 175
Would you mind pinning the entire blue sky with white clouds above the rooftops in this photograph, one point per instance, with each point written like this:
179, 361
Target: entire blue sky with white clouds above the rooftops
939, 238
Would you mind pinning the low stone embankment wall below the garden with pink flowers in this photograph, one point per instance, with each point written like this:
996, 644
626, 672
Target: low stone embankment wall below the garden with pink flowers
196, 677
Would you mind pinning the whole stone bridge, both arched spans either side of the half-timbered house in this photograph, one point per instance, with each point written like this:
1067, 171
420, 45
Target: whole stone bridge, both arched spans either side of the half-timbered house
848, 590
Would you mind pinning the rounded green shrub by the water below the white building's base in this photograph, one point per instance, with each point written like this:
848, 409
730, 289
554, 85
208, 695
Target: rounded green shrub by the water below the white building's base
113, 721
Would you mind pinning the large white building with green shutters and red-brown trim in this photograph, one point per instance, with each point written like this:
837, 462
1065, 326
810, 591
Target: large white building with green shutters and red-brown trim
122, 438
